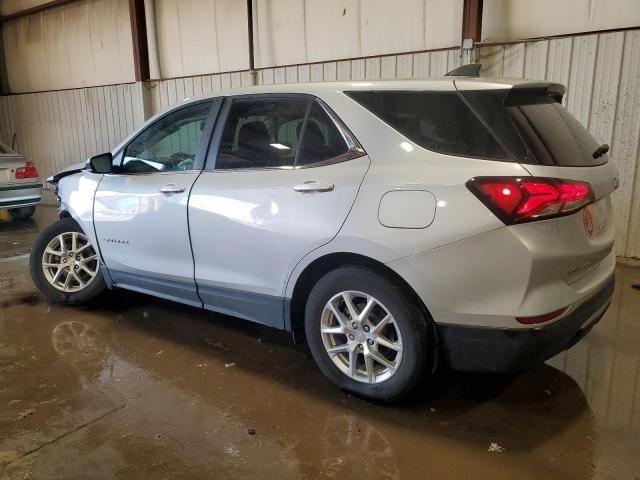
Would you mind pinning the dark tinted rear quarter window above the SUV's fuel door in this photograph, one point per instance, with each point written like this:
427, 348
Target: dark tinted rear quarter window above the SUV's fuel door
438, 121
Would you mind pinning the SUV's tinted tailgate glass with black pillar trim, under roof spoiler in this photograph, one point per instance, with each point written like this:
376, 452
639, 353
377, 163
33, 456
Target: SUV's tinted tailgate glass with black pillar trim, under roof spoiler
534, 127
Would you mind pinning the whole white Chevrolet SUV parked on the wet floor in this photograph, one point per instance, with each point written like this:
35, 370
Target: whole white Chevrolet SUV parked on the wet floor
396, 225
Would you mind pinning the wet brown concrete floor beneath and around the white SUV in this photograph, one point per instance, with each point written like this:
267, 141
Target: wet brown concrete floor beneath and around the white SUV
135, 387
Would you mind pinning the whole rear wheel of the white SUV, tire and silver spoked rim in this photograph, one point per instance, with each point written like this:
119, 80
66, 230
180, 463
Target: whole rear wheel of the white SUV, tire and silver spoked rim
412, 334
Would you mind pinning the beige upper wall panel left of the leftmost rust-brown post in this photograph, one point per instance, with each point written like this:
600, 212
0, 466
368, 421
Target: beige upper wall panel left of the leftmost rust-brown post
78, 44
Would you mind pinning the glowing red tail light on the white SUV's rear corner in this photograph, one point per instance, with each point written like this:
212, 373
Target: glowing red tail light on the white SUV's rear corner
525, 199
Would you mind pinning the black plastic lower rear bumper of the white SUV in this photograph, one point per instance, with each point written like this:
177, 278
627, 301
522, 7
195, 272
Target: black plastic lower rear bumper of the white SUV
486, 349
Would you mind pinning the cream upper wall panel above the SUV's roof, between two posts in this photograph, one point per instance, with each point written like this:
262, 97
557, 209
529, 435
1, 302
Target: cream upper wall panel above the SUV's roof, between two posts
303, 31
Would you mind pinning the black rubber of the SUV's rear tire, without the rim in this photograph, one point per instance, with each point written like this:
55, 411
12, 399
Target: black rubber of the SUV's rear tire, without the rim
416, 327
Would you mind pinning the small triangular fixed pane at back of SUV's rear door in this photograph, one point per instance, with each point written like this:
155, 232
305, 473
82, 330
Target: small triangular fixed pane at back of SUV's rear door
322, 140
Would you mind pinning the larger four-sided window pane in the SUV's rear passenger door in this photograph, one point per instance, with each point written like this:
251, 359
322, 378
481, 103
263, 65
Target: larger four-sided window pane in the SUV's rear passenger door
262, 133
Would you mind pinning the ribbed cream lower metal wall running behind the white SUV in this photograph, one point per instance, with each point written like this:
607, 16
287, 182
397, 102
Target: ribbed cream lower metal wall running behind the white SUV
601, 72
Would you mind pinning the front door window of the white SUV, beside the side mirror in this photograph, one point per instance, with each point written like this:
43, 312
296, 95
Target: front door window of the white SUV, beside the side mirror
170, 144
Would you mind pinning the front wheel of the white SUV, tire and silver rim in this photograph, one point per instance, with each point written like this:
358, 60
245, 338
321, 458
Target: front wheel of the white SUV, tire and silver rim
75, 293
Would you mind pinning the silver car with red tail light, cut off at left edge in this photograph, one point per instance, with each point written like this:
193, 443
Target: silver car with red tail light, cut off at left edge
20, 185
